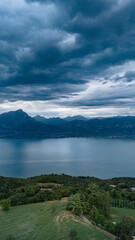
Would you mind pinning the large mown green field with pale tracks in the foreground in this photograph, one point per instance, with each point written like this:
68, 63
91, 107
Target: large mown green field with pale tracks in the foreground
45, 221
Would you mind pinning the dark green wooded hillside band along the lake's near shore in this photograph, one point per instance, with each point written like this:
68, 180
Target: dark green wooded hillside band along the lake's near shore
64, 185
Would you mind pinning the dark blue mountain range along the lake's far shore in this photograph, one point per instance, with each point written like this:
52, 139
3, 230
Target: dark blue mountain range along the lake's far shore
18, 124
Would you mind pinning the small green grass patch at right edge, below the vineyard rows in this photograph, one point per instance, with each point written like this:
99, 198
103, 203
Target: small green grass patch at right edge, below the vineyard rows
119, 213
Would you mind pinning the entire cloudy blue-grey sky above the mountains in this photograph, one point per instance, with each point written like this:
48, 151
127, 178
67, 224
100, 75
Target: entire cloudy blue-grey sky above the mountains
61, 58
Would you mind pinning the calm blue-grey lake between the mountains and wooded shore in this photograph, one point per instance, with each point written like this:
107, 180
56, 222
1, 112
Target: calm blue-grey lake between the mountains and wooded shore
103, 158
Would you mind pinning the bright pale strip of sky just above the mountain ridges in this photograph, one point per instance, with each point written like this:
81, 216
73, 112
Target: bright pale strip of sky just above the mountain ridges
88, 113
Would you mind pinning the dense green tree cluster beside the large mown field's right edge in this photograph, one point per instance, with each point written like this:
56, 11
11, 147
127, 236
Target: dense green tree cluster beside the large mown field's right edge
93, 202
